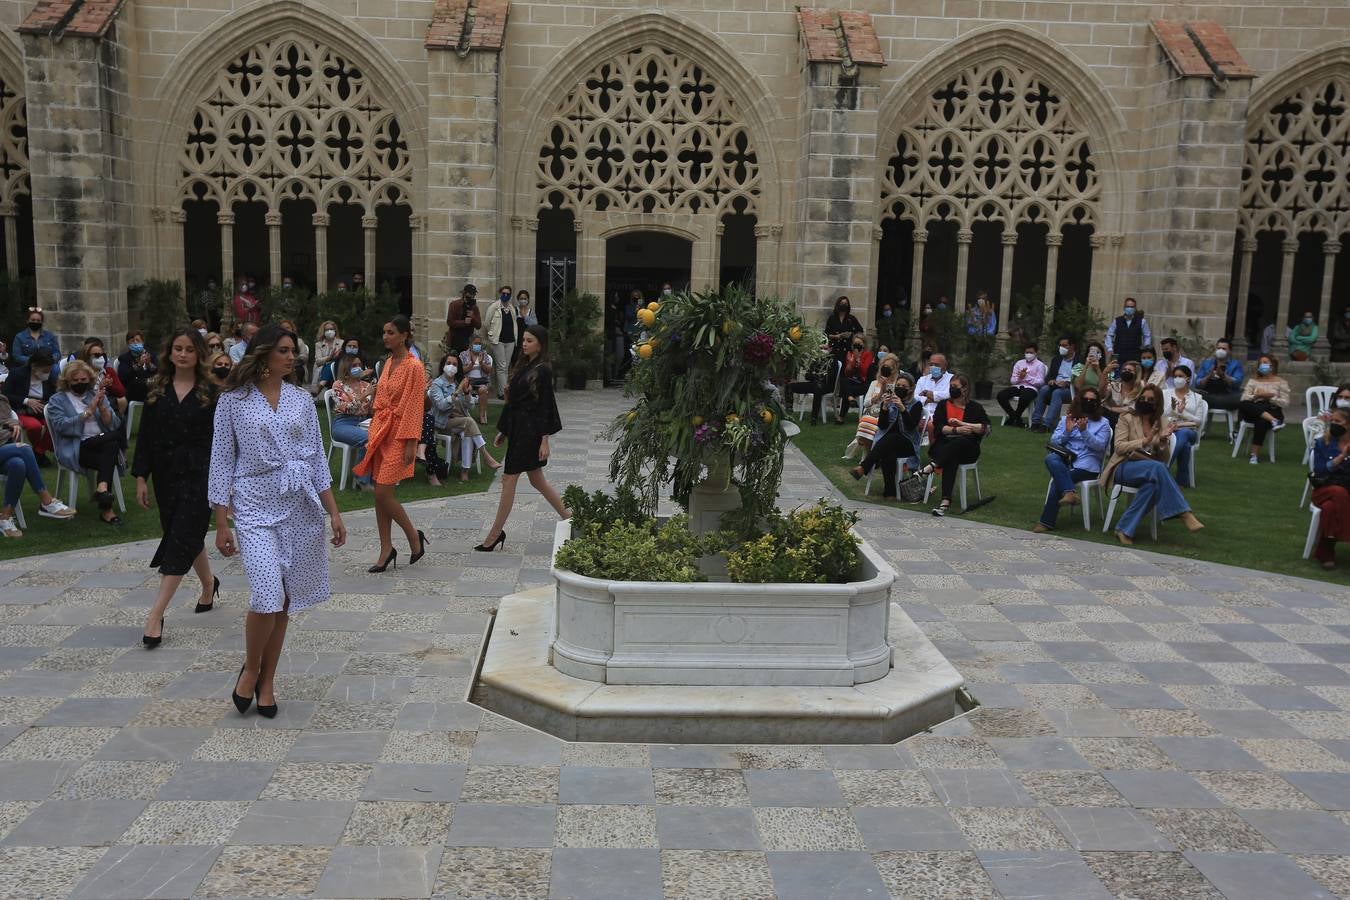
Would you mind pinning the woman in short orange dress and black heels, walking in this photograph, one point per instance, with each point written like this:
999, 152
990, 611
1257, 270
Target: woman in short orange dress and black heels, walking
392, 447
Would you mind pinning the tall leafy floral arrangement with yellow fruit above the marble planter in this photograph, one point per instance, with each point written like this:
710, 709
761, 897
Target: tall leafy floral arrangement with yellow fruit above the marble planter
707, 400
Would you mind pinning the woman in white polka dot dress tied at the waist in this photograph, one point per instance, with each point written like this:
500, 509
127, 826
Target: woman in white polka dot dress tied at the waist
268, 465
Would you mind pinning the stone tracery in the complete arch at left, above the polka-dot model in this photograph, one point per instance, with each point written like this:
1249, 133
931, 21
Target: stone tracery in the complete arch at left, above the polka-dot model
291, 119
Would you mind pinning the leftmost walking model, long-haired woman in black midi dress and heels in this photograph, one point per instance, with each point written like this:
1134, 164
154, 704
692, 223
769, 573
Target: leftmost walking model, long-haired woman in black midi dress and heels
173, 450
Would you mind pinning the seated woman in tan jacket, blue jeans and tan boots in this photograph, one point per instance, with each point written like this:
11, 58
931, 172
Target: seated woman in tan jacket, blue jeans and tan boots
1140, 461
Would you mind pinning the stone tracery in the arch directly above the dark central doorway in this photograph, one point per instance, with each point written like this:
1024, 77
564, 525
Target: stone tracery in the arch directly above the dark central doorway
649, 132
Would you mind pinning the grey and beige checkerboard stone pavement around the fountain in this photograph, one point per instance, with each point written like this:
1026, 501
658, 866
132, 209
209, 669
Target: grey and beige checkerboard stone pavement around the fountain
1150, 728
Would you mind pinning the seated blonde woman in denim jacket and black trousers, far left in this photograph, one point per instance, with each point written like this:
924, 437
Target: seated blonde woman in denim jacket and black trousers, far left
88, 432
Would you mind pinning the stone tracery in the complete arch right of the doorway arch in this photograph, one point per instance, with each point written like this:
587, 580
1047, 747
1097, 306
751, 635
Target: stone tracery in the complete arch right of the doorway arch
997, 144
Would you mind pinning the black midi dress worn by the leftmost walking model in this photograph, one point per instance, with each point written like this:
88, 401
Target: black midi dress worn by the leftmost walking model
173, 451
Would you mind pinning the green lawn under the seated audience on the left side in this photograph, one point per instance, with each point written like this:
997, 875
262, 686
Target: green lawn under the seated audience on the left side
52, 536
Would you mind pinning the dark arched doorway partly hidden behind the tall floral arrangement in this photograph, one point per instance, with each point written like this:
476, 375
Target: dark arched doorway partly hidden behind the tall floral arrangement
641, 261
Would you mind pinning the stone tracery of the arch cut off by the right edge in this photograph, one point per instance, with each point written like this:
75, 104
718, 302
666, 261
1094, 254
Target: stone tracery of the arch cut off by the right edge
1297, 169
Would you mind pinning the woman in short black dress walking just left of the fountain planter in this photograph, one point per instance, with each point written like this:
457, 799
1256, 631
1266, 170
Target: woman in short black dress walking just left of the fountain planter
529, 419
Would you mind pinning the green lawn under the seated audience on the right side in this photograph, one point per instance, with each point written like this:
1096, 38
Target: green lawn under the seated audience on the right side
1251, 512
